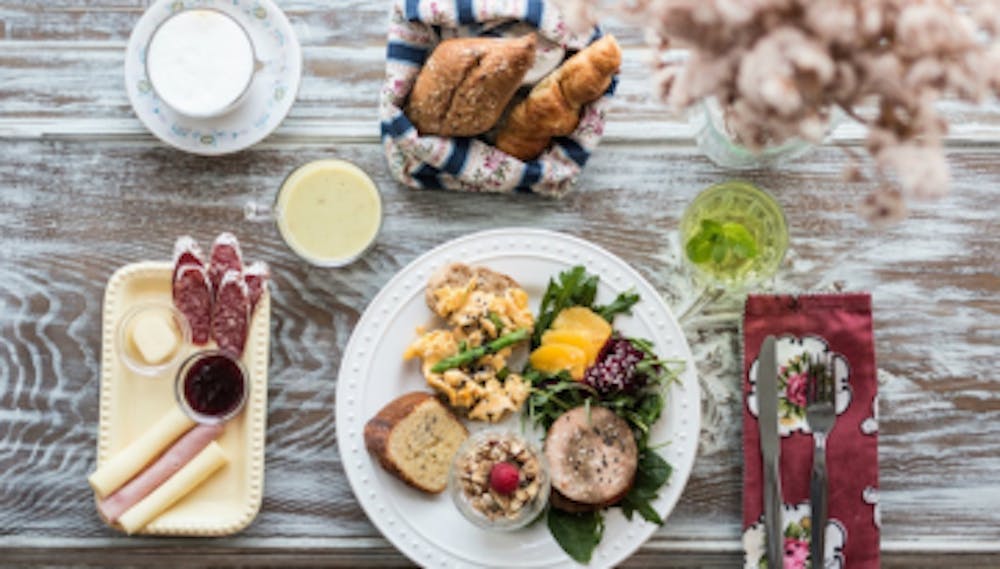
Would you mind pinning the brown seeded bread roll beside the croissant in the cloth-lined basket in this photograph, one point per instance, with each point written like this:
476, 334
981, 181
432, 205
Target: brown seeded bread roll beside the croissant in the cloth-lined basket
466, 83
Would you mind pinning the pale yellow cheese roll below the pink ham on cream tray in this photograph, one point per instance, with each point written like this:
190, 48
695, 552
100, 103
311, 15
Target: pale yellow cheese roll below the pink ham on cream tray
176, 487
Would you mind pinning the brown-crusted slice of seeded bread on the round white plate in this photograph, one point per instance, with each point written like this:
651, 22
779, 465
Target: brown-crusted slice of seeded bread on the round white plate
414, 438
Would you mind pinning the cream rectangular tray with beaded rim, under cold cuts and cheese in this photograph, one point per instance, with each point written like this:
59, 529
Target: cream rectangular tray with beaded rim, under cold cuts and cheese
130, 403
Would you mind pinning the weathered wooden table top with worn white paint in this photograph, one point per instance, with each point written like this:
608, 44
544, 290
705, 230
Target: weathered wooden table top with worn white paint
85, 189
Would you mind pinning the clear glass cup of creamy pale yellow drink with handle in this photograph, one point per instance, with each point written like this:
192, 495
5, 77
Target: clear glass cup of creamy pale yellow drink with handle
328, 212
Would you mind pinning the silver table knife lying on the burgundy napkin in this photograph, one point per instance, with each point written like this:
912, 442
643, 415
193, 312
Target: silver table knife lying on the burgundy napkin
770, 450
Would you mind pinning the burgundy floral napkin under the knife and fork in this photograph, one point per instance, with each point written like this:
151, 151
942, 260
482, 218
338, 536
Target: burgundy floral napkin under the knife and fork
840, 324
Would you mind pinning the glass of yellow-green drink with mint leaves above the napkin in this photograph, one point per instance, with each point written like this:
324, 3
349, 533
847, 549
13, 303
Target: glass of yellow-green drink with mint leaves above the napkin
734, 235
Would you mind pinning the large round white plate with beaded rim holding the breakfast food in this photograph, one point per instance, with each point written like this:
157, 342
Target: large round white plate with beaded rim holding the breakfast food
429, 529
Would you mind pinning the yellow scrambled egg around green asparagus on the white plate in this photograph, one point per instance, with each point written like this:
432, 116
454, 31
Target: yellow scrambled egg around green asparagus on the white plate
475, 316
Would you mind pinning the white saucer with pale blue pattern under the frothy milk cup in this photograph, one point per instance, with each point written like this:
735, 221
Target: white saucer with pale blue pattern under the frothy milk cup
267, 102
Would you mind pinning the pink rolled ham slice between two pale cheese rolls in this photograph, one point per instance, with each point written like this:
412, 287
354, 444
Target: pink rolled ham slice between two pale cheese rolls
158, 472
